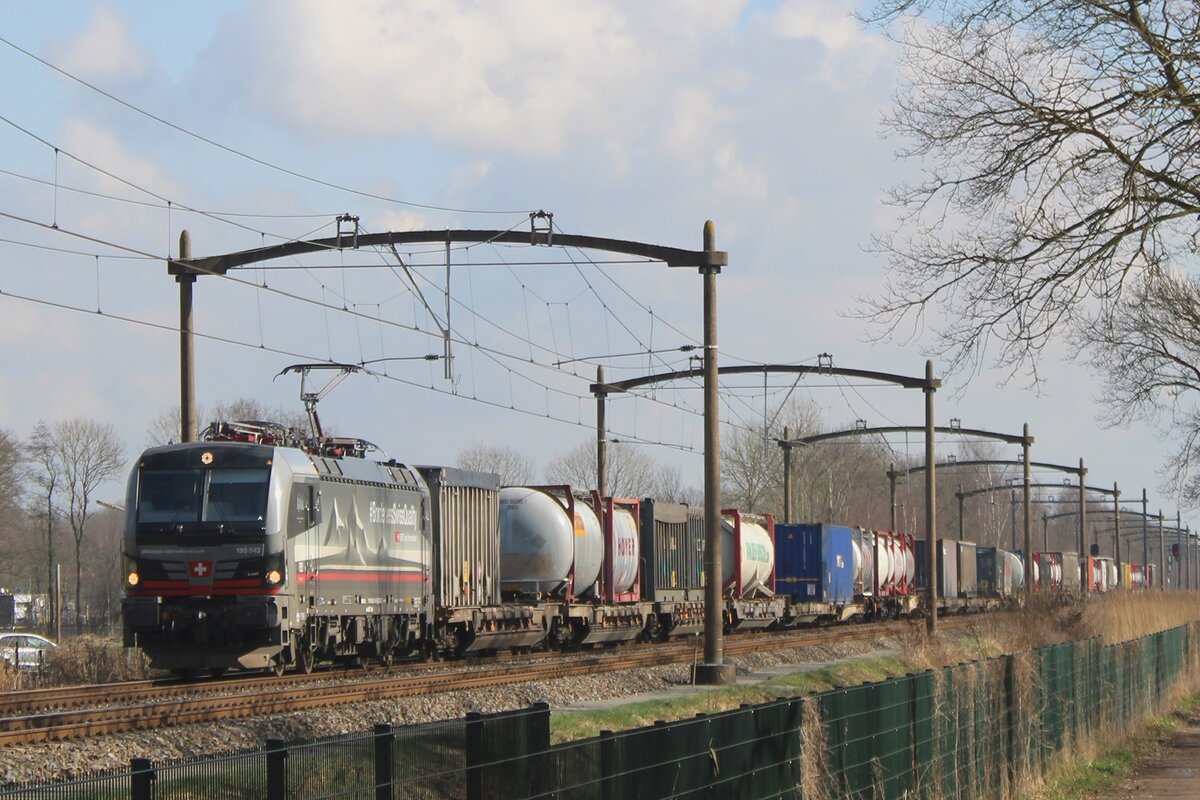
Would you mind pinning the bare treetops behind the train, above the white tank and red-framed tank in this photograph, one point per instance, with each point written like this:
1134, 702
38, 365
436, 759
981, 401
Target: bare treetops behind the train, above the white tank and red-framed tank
632, 472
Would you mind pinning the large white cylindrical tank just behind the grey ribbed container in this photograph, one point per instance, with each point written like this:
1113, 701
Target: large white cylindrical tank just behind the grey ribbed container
542, 546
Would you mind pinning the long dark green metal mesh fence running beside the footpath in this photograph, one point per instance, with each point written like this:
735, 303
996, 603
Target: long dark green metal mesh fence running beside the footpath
979, 730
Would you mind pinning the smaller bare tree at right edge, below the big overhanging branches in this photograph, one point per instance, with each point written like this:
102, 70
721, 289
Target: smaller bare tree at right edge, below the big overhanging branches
1149, 353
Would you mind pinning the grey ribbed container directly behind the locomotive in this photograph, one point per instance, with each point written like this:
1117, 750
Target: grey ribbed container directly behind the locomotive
466, 518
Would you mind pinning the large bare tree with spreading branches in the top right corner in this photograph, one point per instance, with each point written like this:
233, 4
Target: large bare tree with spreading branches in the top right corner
1060, 142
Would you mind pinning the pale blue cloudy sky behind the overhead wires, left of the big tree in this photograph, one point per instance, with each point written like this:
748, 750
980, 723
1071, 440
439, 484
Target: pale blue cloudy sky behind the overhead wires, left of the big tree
627, 121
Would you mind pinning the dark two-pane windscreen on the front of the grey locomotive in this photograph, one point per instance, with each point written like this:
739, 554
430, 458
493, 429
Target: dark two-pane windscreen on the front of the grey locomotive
179, 496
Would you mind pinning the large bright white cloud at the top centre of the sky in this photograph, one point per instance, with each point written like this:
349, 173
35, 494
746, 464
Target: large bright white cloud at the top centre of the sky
523, 76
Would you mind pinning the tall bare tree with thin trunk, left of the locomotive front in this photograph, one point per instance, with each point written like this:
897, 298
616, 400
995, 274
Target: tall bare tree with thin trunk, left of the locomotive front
87, 454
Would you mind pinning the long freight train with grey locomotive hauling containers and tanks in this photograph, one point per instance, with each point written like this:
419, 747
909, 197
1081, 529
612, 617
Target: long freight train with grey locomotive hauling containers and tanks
253, 550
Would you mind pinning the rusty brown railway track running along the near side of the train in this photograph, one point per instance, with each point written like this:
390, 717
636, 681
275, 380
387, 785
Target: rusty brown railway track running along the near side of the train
79, 712
